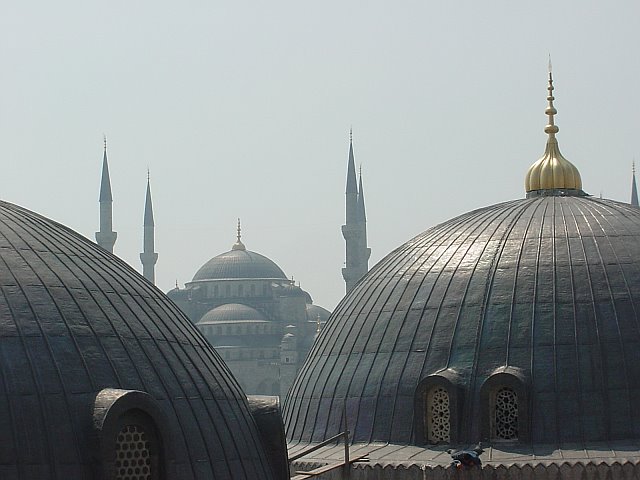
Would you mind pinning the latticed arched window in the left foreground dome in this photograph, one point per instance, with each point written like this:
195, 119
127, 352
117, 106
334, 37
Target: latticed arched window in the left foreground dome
133, 456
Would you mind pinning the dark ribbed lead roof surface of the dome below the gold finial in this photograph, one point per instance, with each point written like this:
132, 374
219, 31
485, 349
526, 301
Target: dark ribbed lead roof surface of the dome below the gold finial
548, 286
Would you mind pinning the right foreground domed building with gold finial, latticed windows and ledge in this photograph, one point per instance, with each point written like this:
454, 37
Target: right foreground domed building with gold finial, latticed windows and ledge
516, 325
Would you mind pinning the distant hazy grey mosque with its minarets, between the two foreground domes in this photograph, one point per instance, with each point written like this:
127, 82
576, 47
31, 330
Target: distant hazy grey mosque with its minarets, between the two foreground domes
260, 321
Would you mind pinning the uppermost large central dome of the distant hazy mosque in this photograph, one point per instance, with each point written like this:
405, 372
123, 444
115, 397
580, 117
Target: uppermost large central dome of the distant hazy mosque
239, 264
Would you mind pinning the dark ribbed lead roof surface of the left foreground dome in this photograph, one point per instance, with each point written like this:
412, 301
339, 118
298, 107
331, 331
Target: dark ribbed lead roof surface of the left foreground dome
75, 320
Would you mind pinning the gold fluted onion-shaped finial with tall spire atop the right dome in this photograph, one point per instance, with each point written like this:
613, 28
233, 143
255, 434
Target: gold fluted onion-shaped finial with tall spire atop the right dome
552, 174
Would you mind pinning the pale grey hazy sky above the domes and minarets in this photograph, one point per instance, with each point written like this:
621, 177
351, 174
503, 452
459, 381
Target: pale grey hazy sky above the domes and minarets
243, 108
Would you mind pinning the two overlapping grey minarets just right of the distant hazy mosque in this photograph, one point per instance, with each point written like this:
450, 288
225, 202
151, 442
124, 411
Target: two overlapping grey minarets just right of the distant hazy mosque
354, 230
